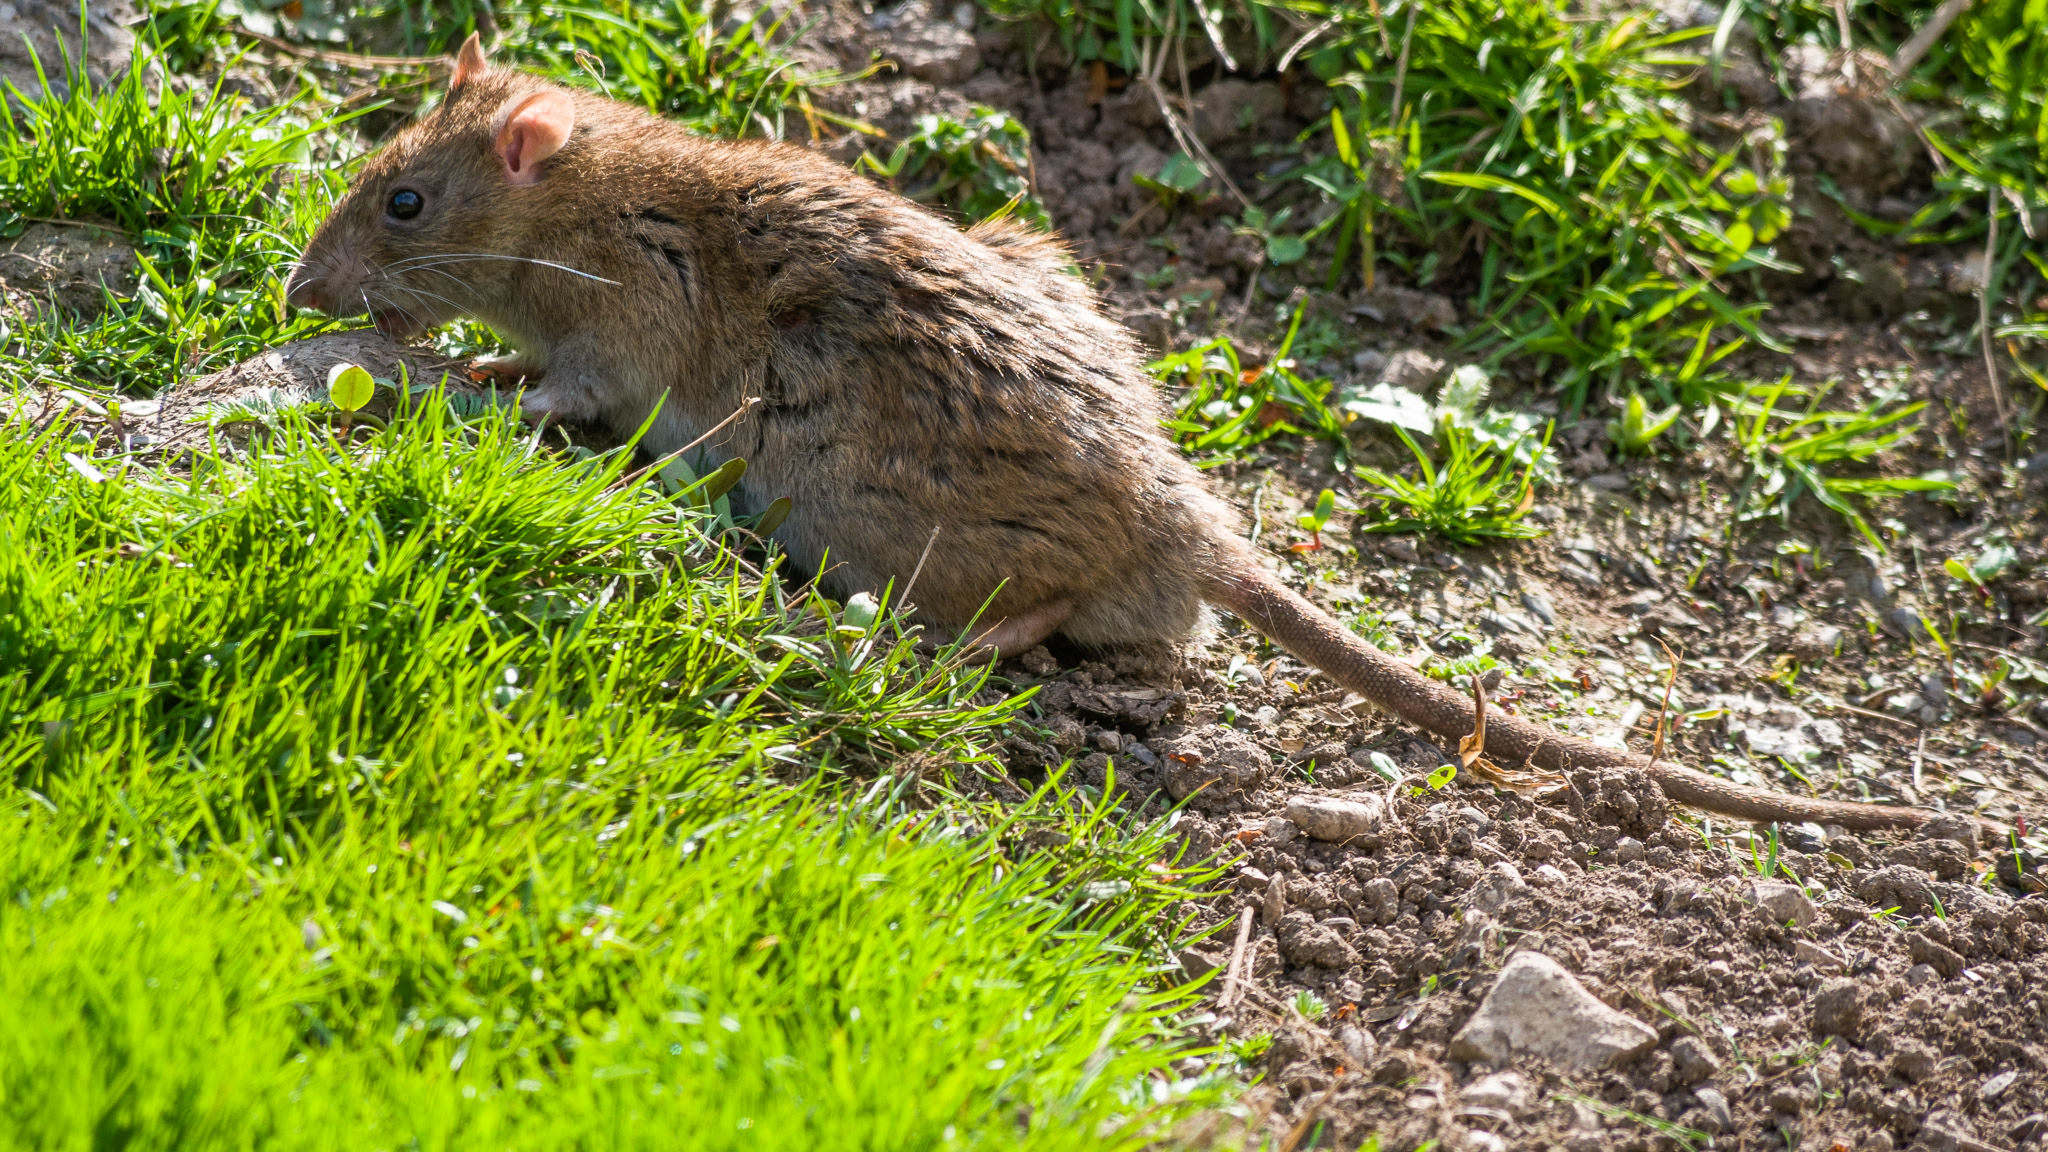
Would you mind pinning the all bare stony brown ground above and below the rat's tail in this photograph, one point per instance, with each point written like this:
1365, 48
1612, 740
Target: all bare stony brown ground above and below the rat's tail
1865, 993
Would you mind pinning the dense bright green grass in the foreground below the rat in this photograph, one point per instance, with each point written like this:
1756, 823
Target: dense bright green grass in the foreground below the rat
437, 794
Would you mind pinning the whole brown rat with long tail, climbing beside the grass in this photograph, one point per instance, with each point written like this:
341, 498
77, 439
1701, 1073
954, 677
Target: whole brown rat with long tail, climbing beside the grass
910, 376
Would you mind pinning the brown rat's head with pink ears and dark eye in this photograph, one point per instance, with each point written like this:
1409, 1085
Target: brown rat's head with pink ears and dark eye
435, 222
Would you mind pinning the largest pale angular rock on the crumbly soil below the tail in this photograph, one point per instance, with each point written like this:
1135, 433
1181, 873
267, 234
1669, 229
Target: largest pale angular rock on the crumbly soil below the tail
1539, 1010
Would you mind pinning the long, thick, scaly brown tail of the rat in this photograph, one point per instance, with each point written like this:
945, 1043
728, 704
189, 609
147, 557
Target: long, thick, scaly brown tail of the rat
1312, 634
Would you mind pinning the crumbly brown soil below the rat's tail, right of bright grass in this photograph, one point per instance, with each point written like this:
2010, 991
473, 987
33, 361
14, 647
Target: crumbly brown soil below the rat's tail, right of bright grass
1879, 993
